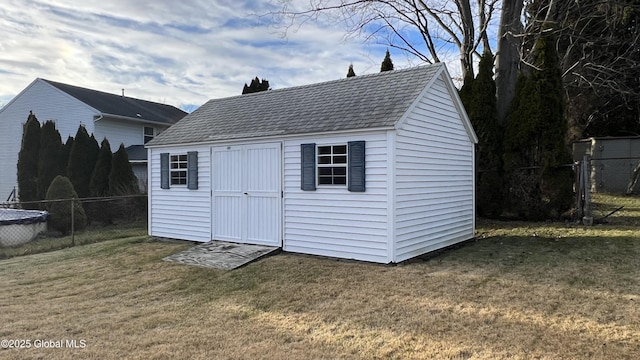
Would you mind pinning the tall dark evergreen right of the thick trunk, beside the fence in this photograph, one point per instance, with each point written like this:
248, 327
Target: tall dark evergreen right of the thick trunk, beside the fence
536, 147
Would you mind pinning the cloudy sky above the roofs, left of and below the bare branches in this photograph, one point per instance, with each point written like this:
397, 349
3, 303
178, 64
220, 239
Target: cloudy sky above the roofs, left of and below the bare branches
180, 53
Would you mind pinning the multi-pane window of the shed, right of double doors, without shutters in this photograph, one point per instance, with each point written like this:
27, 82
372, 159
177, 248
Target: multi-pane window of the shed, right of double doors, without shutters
332, 165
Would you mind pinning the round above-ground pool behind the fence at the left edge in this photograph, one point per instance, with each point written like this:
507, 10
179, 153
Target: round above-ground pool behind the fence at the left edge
21, 226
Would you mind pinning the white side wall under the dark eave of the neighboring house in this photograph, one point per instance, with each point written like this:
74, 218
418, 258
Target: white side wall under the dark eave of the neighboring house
119, 132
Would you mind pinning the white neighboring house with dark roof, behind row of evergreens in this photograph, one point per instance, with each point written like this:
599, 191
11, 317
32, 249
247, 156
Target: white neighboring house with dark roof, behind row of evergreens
118, 118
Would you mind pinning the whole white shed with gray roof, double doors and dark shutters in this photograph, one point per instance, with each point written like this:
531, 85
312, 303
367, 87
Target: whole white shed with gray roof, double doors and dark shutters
377, 167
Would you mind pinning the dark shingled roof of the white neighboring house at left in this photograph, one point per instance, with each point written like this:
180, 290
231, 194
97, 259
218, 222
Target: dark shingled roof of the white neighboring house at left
122, 106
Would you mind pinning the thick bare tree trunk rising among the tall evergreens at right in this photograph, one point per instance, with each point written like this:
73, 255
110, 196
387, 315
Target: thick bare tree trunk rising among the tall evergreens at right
508, 55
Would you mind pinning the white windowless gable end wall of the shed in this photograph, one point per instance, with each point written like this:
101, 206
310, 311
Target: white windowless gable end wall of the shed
434, 177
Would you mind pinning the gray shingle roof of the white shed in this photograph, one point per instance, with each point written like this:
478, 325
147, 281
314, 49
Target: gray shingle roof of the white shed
360, 102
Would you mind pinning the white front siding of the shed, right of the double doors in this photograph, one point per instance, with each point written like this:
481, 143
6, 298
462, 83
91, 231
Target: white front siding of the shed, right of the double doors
331, 221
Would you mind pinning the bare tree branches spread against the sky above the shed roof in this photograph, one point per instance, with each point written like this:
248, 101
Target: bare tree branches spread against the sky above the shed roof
397, 22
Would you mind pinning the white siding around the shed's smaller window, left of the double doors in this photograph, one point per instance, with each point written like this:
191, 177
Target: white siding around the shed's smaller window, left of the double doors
178, 212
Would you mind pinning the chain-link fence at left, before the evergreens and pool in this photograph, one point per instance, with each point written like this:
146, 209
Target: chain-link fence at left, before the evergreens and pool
27, 222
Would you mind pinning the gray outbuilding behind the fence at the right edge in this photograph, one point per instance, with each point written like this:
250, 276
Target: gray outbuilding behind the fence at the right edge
613, 160
